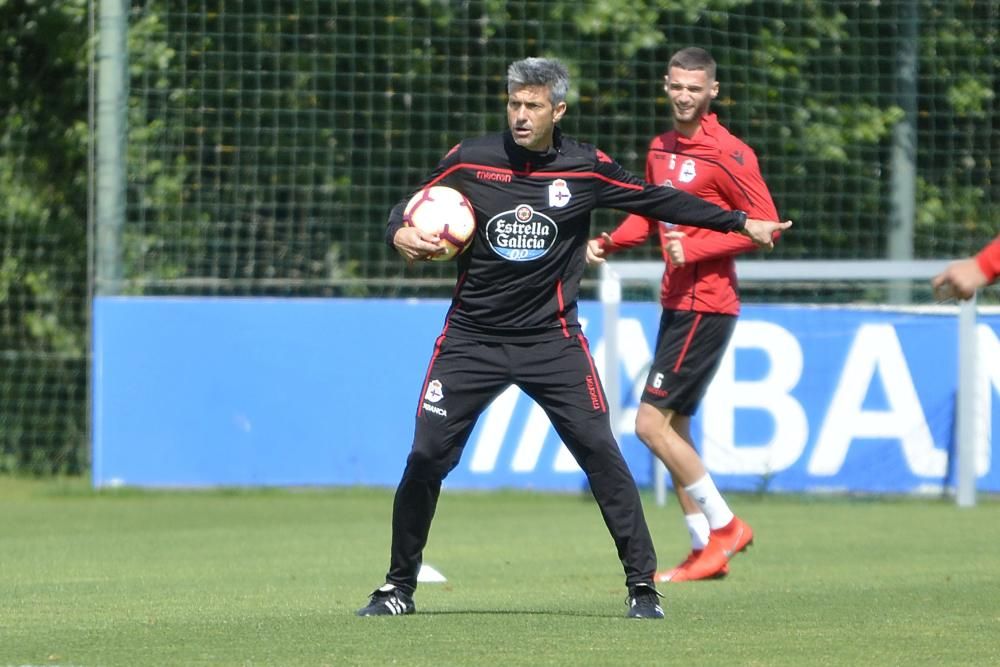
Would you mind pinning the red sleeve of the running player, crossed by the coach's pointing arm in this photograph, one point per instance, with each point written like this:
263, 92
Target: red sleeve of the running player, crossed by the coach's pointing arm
746, 191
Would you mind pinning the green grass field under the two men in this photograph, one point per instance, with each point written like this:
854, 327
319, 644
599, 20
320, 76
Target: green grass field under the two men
273, 577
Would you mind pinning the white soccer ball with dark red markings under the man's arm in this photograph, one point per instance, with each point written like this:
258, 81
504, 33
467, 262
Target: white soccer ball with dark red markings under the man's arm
446, 212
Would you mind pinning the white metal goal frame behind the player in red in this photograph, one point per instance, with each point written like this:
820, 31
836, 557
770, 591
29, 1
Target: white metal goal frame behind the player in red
614, 273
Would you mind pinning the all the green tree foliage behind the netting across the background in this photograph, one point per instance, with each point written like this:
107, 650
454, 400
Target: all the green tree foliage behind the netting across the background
266, 142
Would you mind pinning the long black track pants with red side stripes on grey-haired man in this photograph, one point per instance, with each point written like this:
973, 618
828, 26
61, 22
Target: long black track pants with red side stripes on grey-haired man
462, 378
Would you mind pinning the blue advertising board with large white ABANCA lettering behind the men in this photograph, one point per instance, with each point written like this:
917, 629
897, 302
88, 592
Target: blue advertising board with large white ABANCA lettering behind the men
219, 392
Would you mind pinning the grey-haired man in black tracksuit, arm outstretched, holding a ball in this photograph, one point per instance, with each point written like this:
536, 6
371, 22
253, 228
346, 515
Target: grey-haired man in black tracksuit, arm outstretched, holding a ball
513, 318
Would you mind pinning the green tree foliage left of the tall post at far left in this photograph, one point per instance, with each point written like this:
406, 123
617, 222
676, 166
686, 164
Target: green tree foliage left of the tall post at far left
43, 212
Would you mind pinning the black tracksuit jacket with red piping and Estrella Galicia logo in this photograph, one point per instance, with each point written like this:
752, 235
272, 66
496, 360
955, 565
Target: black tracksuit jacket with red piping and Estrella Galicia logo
520, 279
